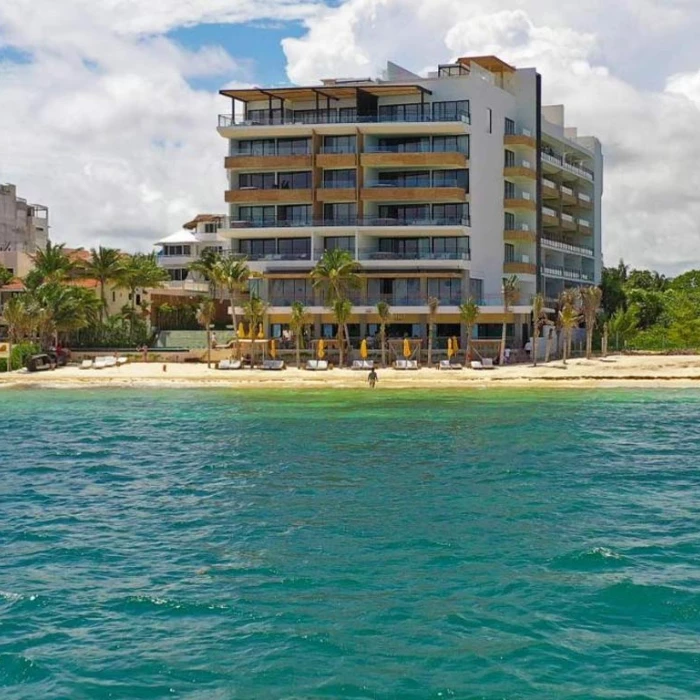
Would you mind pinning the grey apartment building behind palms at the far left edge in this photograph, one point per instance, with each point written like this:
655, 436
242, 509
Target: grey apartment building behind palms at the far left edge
23, 229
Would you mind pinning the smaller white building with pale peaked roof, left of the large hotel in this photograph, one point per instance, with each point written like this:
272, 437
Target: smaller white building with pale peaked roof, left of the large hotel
179, 250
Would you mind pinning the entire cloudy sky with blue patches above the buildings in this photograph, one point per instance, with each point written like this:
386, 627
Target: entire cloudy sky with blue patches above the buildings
109, 107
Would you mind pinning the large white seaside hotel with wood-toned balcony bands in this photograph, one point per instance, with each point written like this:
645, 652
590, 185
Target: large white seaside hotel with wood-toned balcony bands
439, 186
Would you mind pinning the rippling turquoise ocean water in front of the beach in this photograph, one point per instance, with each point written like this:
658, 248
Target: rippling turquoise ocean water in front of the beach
219, 544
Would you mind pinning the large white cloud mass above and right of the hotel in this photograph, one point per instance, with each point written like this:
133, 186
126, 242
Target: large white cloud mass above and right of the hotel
651, 207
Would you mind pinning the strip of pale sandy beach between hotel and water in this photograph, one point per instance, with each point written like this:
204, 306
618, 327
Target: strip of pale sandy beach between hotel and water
614, 371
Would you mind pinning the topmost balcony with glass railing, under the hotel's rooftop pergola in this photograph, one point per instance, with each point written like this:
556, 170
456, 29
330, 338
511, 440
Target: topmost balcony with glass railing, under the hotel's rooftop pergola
325, 116
